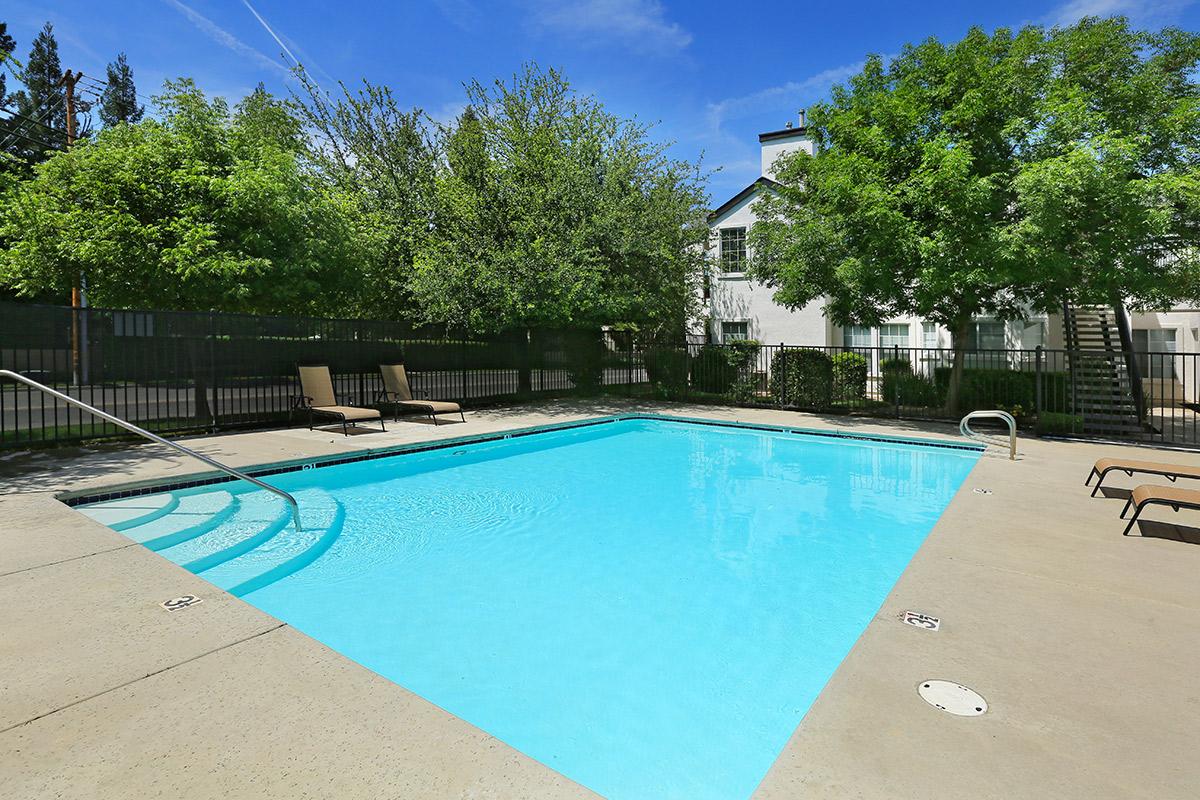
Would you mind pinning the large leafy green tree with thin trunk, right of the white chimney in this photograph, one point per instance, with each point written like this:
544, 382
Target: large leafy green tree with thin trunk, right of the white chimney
950, 183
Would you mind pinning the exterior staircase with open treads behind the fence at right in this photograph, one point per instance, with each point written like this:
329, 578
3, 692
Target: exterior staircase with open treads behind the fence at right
1102, 390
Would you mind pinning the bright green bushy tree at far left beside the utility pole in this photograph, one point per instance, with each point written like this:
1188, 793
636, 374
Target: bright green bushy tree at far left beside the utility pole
202, 210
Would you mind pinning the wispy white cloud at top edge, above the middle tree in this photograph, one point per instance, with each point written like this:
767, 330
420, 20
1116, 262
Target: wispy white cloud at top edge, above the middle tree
639, 25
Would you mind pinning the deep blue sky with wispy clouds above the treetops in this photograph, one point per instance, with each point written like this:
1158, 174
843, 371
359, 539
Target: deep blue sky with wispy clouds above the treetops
712, 75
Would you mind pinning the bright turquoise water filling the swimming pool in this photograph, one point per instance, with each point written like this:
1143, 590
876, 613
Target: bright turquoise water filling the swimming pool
647, 606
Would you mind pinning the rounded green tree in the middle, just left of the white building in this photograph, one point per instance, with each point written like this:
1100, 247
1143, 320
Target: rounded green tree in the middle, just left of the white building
554, 213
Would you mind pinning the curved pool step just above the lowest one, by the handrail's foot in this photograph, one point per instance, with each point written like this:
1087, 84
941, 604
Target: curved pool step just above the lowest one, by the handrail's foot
259, 518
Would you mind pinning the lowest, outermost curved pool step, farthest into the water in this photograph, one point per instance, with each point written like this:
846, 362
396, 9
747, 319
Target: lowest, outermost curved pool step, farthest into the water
287, 551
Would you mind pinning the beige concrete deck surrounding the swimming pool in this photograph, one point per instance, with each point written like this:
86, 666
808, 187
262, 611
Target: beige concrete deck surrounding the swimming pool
1082, 641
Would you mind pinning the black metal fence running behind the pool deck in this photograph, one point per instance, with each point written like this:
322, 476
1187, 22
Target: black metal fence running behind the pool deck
178, 372
